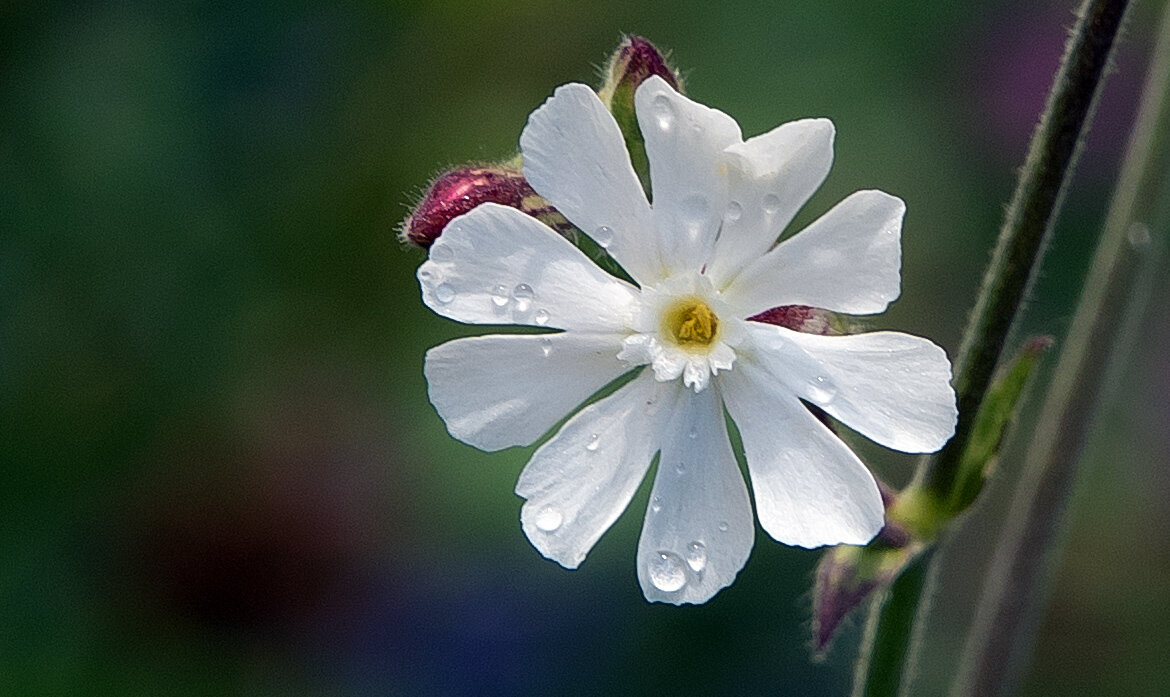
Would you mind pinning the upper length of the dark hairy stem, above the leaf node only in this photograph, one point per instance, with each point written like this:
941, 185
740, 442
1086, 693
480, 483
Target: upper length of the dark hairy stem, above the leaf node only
1023, 238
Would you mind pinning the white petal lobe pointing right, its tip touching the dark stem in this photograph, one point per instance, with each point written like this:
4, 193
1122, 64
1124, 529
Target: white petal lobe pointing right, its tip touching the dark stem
891, 388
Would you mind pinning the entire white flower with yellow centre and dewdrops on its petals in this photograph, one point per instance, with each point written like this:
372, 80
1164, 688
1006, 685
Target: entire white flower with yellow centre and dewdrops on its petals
705, 261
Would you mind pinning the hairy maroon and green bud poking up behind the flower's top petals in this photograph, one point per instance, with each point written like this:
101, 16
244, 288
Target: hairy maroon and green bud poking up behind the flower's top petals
635, 61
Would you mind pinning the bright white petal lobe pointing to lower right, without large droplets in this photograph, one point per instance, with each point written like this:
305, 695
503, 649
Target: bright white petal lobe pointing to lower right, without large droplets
810, 488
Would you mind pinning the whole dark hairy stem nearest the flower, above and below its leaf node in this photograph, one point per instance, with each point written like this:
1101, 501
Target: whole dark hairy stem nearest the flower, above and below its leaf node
886, 661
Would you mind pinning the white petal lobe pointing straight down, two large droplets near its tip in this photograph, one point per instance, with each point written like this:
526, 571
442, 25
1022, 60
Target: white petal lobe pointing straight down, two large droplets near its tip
699, 529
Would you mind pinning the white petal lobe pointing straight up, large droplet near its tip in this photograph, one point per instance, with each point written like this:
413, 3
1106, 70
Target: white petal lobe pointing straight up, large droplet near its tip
685, 142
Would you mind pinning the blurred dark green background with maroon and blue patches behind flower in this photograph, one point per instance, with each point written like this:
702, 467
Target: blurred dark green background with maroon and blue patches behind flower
222, 474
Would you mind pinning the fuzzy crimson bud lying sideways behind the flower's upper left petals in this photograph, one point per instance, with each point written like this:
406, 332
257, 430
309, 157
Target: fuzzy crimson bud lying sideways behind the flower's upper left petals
458, 191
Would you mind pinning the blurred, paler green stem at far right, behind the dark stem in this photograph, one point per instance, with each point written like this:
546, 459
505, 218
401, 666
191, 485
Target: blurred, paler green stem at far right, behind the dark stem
1018, 584
